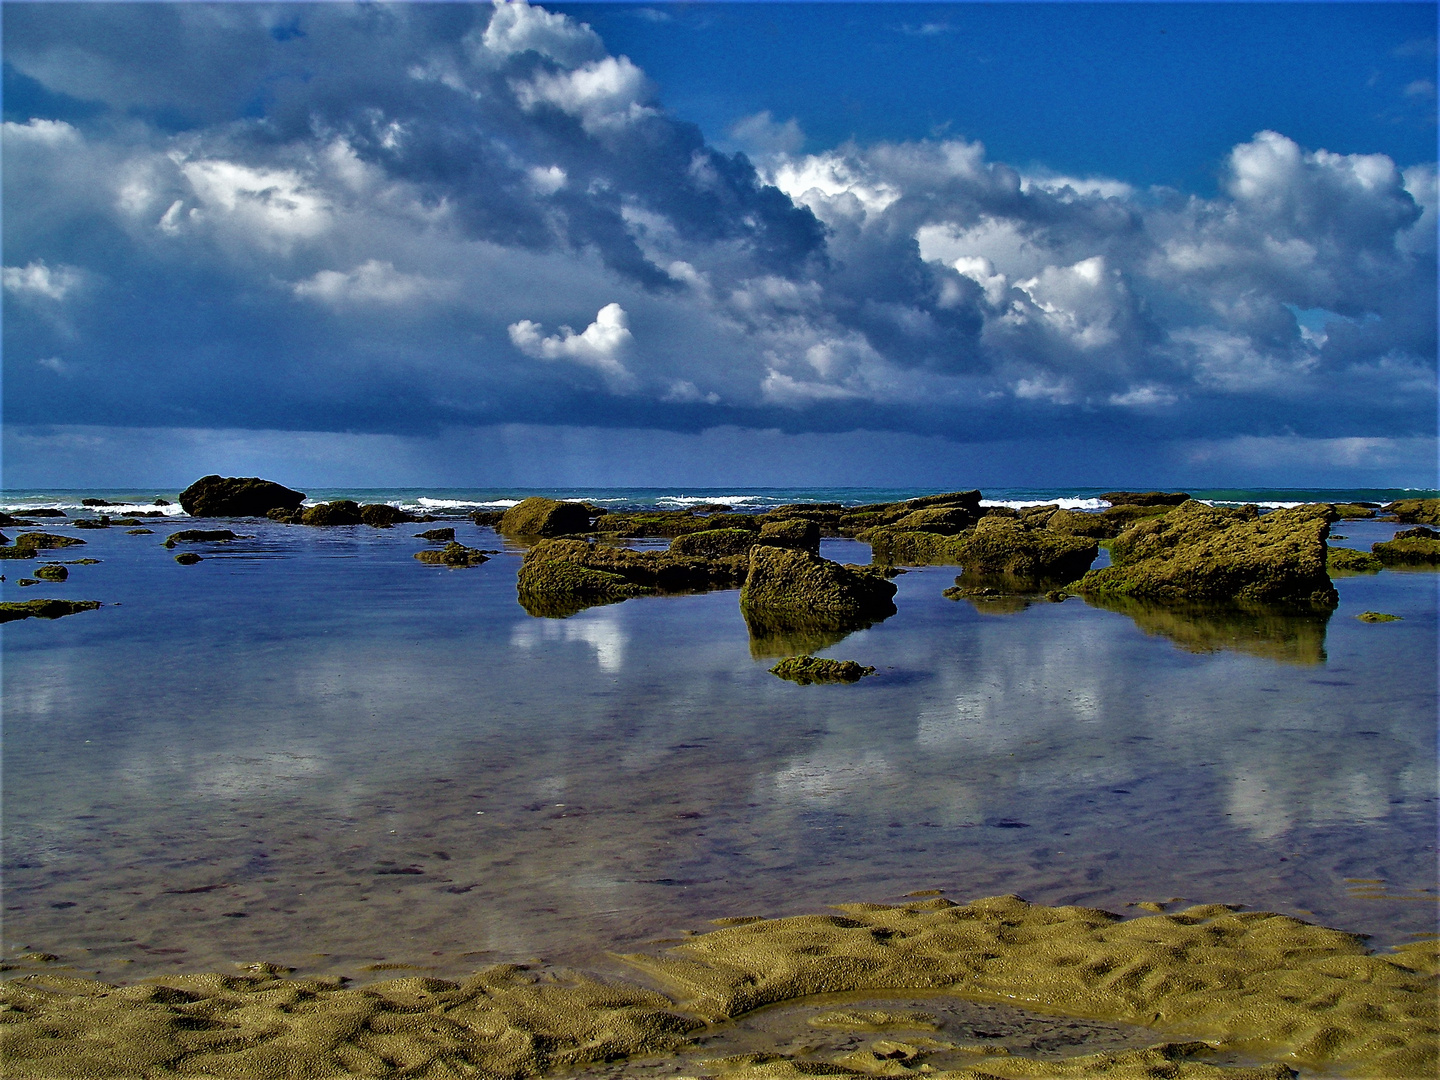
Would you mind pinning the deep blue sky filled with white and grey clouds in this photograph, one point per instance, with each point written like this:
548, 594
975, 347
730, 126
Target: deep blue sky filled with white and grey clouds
878, 244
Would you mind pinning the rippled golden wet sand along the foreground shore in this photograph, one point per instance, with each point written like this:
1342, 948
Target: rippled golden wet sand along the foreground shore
1265, 986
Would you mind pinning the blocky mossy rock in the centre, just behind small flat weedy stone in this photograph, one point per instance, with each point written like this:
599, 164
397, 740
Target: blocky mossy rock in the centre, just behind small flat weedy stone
786, 582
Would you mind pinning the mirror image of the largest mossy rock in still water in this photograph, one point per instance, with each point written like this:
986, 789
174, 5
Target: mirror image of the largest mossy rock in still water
1292, 636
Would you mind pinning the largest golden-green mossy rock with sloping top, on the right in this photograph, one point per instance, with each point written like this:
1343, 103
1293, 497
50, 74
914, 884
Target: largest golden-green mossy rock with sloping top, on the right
1215, 555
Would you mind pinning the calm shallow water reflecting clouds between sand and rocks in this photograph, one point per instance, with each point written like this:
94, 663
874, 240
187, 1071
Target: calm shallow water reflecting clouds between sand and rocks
315, 751
